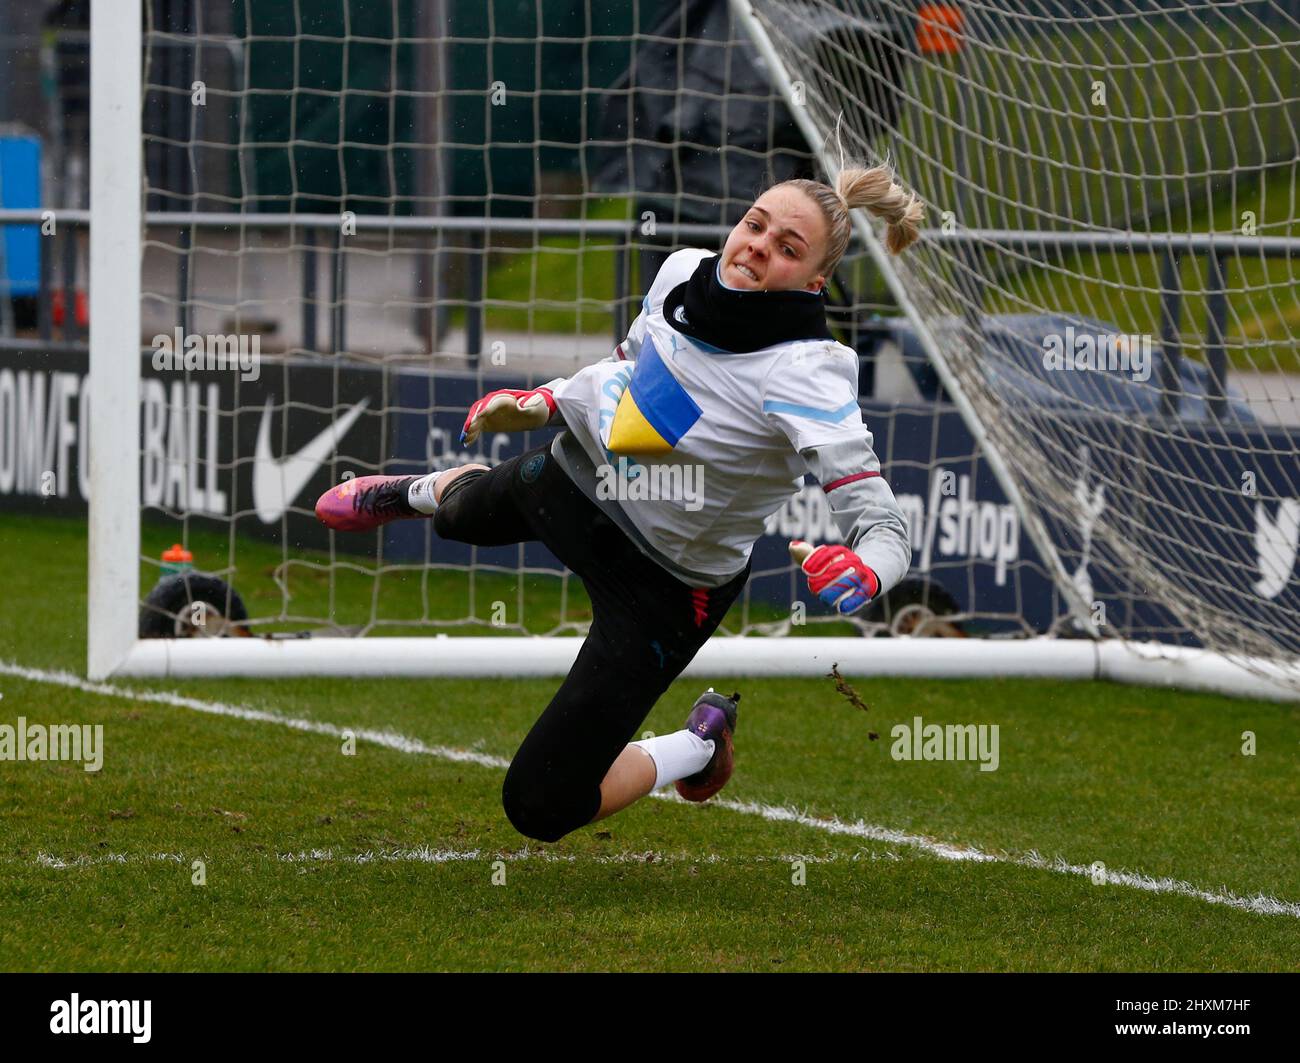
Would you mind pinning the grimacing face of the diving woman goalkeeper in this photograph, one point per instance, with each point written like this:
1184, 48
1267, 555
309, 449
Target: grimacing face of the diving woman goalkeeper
778, 245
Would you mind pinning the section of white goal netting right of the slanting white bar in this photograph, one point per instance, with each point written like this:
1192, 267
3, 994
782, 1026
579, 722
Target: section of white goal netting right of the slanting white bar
1112, 292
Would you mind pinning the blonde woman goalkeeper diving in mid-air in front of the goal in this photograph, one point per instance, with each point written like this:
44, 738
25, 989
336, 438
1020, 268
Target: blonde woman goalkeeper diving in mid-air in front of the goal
731, 383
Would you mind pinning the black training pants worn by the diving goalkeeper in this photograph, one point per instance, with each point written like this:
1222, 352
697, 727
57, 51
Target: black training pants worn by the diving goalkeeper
647, 628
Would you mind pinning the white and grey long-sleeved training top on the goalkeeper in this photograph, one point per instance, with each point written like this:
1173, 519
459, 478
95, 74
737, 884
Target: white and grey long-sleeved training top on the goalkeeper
759, 422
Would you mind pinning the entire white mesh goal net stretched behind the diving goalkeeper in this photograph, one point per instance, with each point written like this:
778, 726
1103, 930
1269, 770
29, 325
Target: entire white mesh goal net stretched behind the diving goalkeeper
359, 218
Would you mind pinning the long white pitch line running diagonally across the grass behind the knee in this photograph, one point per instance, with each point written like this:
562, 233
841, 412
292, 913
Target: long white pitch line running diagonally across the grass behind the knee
1260, 904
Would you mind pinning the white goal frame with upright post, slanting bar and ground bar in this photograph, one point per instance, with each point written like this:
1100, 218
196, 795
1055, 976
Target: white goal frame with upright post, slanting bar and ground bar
115, 650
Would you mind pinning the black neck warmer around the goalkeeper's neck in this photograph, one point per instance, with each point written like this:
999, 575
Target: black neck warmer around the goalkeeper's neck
742, 322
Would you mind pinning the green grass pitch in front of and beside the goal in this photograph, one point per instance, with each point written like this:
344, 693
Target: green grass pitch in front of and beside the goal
404, 860
